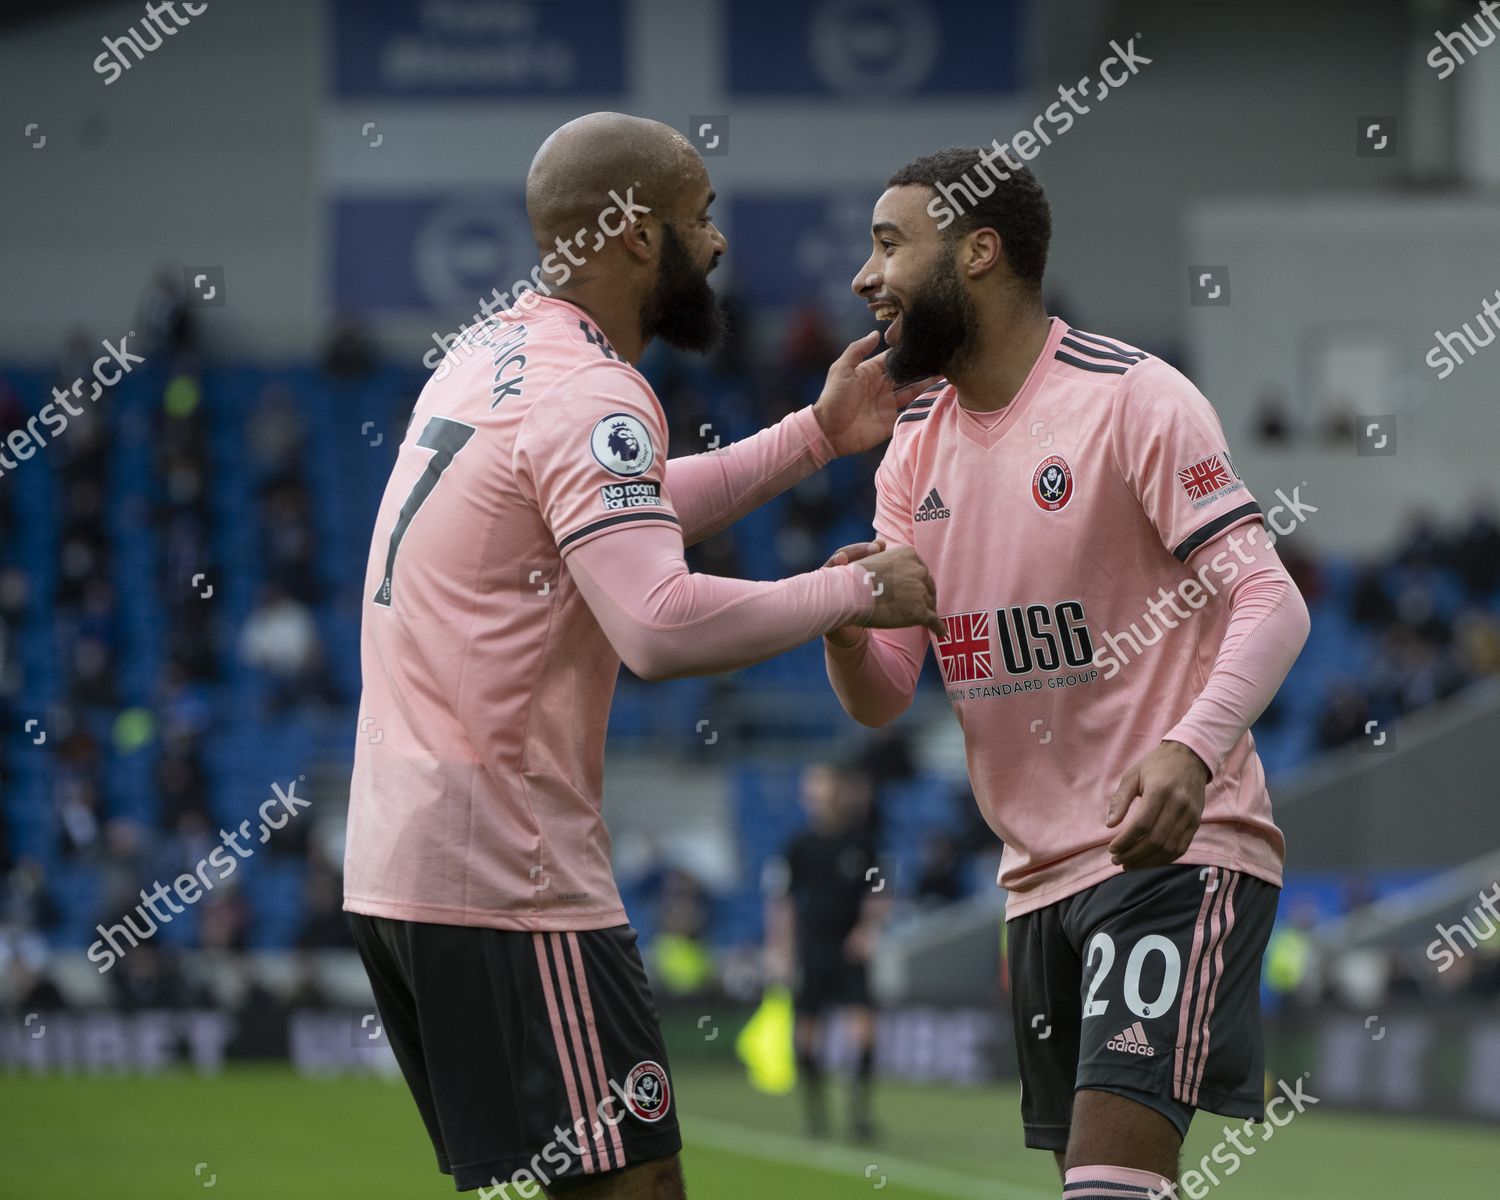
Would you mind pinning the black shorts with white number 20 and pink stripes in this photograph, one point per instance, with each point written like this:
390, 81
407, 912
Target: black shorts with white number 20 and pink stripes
1147, 986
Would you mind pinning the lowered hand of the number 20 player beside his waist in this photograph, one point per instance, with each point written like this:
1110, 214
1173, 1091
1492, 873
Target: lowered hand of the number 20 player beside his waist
1163, 796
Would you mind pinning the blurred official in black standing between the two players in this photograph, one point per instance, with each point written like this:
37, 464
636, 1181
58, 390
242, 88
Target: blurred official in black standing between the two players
826, 908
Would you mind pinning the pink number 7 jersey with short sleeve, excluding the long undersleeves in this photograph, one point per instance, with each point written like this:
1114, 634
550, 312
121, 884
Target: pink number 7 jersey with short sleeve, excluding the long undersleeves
479, 764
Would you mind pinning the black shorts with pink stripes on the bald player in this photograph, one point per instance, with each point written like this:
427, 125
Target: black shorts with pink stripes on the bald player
535, 1058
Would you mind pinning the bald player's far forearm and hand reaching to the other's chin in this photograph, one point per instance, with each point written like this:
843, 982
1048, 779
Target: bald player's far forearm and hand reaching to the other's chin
854, 413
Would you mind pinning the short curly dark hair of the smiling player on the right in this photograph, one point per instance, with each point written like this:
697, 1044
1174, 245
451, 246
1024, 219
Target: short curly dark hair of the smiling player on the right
1016, 206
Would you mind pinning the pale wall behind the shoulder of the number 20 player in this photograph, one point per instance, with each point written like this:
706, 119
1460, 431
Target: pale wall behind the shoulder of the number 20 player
1388, 275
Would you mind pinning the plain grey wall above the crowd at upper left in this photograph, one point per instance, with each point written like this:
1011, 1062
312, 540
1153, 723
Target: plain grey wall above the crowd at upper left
200, 155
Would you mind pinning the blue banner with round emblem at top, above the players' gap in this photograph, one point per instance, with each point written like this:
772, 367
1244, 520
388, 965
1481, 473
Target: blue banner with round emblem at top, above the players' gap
875, 50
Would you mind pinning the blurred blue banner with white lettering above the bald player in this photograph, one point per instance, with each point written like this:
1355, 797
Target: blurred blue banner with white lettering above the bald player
478, 49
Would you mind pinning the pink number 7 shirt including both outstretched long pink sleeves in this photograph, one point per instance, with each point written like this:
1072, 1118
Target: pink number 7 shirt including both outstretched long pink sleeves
532, 536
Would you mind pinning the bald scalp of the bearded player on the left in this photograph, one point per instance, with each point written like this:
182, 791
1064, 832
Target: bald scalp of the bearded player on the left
580, 164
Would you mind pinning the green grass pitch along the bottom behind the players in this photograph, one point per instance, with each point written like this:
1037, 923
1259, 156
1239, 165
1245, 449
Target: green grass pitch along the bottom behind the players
266, 1135
